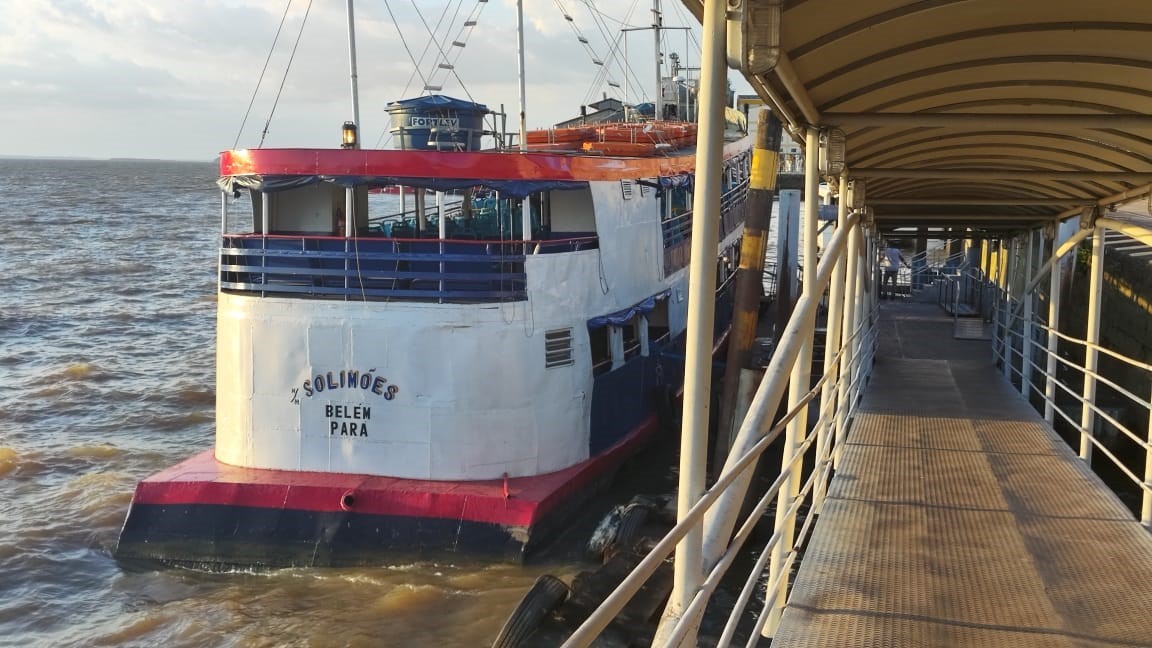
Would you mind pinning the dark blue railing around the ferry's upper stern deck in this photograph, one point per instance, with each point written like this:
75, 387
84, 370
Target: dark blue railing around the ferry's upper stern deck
383, 269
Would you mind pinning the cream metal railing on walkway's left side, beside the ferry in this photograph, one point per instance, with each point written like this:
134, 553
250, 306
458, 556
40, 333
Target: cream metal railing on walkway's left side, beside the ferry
814, 428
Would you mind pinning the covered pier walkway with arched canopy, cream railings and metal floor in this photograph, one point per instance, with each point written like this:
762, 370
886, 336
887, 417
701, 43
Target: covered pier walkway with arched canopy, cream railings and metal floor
969, 461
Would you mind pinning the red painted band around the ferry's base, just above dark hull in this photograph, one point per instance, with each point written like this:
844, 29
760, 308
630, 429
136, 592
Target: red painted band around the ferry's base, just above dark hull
203, 480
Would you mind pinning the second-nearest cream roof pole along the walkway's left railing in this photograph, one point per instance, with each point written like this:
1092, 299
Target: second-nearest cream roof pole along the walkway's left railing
798, 387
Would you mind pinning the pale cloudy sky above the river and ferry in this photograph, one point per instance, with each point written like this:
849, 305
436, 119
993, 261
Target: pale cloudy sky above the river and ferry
175, 79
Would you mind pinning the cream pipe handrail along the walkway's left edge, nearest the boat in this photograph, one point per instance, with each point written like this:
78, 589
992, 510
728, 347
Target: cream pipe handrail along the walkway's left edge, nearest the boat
833, 397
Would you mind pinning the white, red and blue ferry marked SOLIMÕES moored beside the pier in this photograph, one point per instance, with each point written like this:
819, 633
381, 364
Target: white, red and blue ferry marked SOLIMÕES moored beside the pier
453, 378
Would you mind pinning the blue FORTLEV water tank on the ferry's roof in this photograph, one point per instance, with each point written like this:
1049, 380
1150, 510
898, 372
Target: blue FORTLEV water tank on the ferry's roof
437, 123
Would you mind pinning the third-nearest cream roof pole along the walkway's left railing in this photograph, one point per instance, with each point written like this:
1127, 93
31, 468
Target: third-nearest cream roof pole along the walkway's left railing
832, 345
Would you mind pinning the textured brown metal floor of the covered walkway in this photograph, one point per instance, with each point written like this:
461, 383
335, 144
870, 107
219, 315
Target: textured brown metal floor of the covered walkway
958, 518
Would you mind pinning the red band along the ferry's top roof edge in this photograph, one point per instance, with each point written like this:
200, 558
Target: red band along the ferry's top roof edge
481, 165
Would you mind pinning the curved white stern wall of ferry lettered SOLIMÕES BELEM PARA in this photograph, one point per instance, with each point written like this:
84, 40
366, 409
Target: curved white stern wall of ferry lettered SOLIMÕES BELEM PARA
474, 402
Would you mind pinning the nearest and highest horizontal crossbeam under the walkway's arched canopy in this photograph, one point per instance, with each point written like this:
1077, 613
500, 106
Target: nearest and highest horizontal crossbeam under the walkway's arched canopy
984, 122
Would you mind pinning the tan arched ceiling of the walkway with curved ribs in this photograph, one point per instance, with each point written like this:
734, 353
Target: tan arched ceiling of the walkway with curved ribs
994, 115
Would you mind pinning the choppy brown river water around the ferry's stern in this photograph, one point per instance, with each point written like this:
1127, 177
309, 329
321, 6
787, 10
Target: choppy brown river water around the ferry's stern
108, 333
